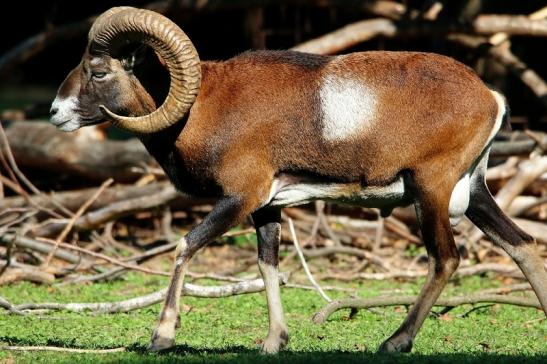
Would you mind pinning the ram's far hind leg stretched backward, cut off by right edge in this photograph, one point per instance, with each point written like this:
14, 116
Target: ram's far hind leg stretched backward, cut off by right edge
486, 214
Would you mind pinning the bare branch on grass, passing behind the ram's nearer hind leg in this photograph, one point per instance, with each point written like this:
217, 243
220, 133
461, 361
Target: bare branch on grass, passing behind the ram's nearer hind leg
358, 303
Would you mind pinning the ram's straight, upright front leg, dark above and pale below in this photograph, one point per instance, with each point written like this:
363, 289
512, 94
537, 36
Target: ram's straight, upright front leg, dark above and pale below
268, 229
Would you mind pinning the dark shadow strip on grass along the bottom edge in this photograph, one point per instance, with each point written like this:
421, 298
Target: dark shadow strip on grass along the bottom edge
238, 354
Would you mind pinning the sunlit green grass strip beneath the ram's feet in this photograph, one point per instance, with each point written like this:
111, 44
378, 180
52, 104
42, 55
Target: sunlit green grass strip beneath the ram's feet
228, 330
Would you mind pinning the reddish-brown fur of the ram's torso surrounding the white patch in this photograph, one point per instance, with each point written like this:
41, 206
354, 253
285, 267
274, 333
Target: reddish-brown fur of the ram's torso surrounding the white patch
258, 118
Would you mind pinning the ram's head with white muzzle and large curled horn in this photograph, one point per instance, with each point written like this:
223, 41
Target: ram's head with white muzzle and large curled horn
104, 87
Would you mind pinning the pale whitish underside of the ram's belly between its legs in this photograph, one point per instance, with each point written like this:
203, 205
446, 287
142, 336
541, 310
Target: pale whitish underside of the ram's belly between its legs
353, 194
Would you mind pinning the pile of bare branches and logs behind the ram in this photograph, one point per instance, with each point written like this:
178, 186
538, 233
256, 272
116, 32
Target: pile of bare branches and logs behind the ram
53, 232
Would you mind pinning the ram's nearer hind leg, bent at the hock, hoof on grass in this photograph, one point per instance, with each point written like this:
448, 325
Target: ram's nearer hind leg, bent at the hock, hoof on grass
443, 258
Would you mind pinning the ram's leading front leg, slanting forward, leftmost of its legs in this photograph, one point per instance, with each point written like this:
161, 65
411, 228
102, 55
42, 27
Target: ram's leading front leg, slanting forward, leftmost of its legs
226, 214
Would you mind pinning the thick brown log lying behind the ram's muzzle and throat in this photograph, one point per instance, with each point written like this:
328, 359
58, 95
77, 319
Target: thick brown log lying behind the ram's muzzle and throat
41, 146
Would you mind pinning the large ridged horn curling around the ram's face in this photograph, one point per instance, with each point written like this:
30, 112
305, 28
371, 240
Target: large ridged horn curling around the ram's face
124, 25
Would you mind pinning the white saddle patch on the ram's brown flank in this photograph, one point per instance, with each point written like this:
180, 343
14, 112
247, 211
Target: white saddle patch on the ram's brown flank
348, 107
